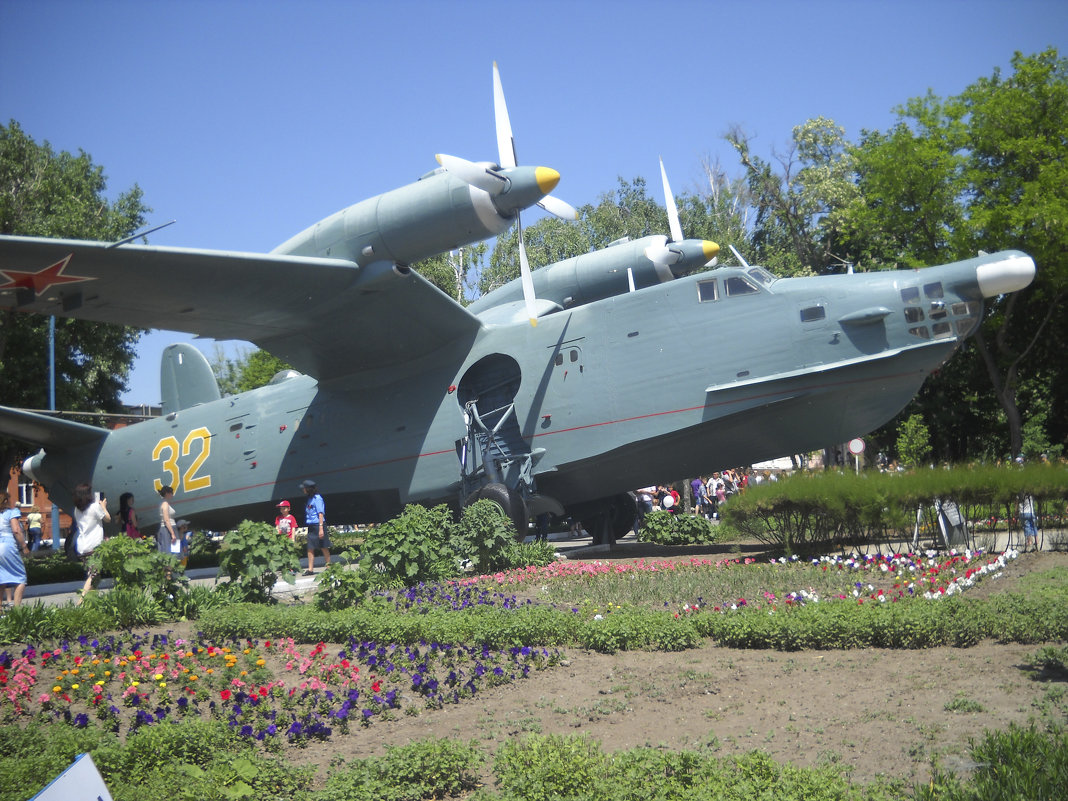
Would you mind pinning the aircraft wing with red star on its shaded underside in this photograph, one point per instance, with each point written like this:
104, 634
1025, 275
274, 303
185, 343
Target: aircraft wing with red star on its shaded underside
327, 318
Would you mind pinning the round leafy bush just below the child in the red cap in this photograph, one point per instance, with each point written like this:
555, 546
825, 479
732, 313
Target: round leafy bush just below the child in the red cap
255, 558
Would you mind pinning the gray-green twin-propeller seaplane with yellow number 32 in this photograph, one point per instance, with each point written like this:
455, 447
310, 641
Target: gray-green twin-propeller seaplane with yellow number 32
559, 392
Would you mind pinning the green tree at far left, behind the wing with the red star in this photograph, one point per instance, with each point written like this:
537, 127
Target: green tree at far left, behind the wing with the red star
59, 195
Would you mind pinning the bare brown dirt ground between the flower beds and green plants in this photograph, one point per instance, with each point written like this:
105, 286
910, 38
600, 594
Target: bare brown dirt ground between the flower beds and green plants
872, 713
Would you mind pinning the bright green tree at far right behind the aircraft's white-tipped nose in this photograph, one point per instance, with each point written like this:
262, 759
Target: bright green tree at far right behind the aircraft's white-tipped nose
985, 170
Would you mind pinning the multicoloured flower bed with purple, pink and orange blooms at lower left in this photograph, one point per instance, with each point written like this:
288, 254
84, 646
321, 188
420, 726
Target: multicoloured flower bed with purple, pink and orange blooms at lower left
265, 690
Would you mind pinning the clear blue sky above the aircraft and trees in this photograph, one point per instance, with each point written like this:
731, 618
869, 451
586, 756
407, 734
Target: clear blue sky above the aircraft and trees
249, 121
